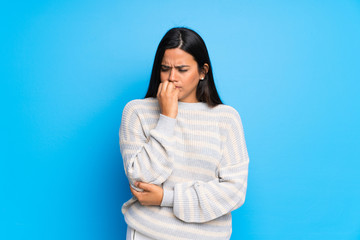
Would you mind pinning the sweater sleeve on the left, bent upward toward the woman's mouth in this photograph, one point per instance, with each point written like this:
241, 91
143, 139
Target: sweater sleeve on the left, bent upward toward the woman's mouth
146, 159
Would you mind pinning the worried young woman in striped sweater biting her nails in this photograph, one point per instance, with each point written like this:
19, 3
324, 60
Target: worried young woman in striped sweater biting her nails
184, 151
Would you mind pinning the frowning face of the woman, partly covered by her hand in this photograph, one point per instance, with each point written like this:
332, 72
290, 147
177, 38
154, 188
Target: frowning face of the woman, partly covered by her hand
180, 67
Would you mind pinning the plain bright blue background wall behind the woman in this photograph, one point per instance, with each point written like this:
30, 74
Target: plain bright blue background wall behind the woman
291, 69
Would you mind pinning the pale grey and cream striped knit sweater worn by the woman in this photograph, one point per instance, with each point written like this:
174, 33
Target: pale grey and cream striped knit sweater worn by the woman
201, 161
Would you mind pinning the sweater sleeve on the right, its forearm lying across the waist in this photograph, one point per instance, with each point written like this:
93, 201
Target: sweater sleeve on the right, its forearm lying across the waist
199, 201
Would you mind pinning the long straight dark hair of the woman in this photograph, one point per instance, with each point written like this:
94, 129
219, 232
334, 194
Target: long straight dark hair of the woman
191, 42
